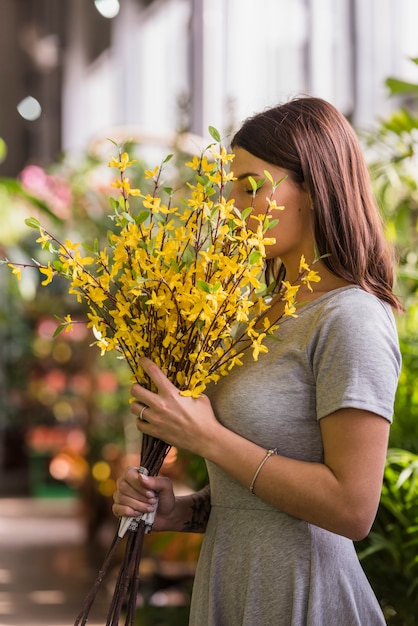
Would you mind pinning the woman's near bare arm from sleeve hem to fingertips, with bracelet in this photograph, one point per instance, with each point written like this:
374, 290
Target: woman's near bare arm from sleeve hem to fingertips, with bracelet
341, 494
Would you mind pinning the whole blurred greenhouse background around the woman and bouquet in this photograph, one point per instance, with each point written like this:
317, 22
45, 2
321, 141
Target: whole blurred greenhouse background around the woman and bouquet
157, 73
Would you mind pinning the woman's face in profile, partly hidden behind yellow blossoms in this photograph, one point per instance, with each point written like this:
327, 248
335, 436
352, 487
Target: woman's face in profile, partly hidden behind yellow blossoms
294, 232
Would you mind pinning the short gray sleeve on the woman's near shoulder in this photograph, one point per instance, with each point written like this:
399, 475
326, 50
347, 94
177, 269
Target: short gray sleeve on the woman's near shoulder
356, 359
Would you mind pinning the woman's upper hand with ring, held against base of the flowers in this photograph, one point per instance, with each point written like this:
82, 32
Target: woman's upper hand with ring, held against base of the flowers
182, 421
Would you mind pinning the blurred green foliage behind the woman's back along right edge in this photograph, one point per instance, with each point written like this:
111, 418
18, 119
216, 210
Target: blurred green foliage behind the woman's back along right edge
389, 554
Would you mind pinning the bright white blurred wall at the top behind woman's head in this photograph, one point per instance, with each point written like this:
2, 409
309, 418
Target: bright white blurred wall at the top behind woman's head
233, 58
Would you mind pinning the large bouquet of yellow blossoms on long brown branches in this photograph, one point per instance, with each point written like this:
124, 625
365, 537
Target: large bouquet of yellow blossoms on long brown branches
180, 283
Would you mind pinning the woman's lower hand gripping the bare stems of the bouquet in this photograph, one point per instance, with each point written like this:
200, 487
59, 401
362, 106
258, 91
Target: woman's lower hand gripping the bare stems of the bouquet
137, 494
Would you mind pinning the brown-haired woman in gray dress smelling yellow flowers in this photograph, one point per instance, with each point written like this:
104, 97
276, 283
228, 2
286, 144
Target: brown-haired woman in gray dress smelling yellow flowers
295, 443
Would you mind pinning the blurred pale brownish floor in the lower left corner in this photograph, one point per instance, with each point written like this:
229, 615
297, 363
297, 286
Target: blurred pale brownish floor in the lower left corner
45, 569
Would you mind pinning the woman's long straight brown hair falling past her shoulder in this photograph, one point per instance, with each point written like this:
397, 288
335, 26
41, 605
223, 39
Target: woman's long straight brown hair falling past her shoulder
315, 143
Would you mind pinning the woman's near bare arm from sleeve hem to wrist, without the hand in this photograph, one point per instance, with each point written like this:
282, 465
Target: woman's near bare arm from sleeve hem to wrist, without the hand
341, 494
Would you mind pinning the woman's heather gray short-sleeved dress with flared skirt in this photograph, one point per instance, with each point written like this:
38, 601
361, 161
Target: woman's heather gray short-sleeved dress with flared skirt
259, 566
